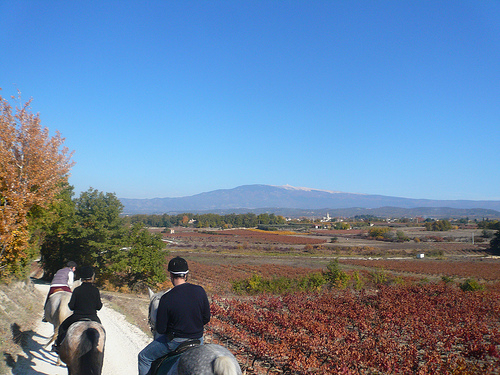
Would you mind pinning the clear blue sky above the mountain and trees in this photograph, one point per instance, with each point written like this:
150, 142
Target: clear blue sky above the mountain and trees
174, 98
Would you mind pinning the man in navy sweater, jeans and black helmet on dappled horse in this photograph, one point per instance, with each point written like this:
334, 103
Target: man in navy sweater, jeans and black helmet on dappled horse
182, 314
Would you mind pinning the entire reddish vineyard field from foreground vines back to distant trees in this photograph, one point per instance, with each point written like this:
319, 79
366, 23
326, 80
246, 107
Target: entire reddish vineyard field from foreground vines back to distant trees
395, 314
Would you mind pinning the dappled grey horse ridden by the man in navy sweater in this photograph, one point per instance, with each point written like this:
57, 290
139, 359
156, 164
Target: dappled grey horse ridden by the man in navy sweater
191, 358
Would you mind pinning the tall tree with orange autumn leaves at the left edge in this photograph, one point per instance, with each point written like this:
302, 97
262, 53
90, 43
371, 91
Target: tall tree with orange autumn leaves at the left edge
33, 169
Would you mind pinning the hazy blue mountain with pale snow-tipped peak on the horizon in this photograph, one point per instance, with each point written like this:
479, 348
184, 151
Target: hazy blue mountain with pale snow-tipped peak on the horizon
260, 196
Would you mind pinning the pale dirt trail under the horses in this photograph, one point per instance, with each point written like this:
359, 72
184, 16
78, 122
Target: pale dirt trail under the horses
123, 342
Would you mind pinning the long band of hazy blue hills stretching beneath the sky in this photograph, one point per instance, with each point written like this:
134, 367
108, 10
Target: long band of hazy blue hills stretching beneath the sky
296, 202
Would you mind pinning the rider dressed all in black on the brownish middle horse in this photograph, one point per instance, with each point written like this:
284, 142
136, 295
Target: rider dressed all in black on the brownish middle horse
85, 301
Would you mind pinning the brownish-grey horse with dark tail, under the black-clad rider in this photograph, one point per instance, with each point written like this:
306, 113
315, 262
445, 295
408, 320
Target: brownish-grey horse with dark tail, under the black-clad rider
83, 348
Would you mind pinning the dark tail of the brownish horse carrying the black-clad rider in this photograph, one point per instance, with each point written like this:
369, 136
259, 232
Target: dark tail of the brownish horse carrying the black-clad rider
90, 357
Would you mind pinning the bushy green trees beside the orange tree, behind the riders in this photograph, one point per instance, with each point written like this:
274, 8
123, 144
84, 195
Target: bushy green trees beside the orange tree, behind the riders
89, 230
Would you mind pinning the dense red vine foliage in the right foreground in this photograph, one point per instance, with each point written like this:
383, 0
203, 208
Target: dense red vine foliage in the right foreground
396, 330
